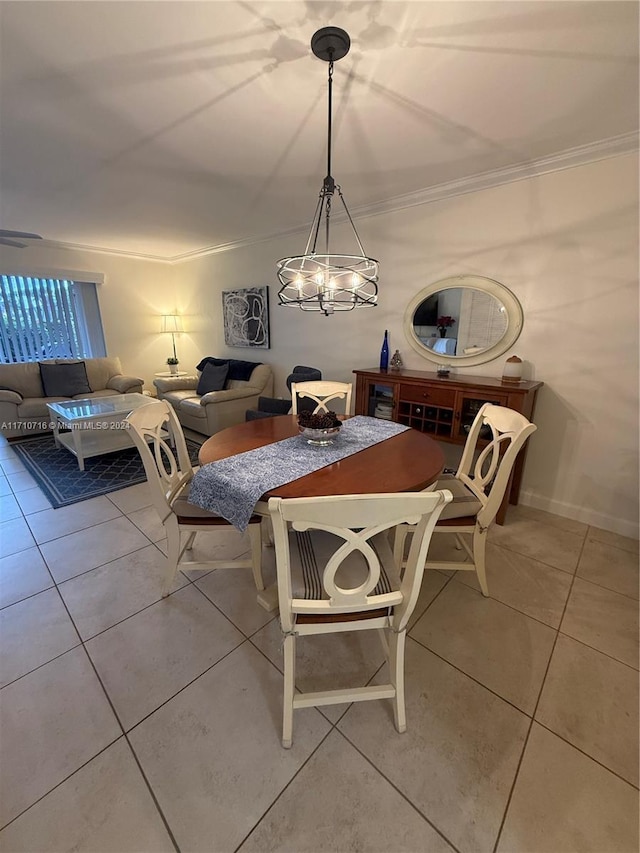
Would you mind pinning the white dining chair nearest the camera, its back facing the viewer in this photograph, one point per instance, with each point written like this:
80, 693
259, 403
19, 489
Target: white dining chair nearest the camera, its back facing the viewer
336, 573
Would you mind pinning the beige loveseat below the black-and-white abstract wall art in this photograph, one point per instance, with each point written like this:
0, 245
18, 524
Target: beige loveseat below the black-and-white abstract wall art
211, 412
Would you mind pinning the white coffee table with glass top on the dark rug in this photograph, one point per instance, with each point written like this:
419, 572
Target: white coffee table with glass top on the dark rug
96, 425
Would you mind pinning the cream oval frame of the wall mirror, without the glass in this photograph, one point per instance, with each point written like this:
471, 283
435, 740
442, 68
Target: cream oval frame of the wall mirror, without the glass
515, 319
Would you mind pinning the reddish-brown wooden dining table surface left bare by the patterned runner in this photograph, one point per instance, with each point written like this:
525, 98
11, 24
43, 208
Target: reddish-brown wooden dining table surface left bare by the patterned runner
406, 462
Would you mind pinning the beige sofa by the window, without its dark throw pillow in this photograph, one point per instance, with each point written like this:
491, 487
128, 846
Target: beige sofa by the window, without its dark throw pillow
23, 405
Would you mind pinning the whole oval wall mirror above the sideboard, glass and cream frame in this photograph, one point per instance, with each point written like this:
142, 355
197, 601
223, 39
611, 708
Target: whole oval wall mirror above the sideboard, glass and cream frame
463, 320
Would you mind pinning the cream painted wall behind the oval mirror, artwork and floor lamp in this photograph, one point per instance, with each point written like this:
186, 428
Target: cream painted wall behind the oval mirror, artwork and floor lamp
566, 243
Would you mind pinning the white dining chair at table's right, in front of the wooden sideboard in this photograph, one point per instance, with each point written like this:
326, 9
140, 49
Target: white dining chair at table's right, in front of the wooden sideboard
495, 438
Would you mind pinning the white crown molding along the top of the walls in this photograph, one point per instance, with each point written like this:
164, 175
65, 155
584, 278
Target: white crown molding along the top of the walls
581, 155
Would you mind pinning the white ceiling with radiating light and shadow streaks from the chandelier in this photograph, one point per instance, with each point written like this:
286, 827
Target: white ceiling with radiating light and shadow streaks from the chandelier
164, 128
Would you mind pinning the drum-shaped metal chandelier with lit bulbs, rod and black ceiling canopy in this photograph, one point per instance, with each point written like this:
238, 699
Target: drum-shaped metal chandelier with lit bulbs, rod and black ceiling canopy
321, 279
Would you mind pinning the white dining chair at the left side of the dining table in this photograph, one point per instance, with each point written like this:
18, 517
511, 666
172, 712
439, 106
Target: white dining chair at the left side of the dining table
169, 475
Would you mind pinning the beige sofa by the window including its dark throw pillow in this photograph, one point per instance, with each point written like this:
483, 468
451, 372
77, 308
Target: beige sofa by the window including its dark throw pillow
24, 398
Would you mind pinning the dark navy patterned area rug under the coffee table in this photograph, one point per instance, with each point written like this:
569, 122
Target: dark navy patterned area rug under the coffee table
58, 476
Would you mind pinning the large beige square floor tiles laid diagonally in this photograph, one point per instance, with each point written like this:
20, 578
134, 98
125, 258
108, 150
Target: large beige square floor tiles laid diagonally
131, 723
